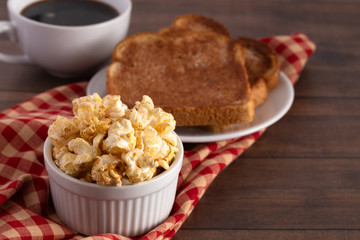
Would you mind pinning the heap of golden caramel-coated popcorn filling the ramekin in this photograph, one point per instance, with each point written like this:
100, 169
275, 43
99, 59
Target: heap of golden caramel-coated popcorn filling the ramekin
107, 142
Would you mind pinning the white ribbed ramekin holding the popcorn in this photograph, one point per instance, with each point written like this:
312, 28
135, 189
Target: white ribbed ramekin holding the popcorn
128, 210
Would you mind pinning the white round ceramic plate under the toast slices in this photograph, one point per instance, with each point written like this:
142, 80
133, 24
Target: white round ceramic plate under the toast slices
275, 107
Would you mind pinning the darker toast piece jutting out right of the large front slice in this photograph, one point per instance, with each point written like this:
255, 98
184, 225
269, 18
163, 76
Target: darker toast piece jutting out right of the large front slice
262, 66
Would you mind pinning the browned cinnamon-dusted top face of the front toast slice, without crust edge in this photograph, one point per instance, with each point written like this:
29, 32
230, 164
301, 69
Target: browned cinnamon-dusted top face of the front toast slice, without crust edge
180, 73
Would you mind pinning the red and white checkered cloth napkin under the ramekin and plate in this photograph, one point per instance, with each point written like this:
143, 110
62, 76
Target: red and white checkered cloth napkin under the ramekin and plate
25, 203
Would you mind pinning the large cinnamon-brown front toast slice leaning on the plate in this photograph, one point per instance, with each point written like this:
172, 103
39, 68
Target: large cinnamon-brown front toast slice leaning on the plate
198, 76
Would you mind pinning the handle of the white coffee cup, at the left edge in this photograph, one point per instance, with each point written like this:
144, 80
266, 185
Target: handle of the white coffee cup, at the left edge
10, 29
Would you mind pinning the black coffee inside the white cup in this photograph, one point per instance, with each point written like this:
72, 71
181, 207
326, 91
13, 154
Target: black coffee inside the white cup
70, 12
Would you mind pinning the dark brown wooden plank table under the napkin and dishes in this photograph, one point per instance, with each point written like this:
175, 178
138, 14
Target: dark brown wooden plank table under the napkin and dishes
301, 179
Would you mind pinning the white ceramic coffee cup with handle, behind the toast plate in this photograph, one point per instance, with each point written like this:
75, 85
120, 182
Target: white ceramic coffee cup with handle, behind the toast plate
64, 50
